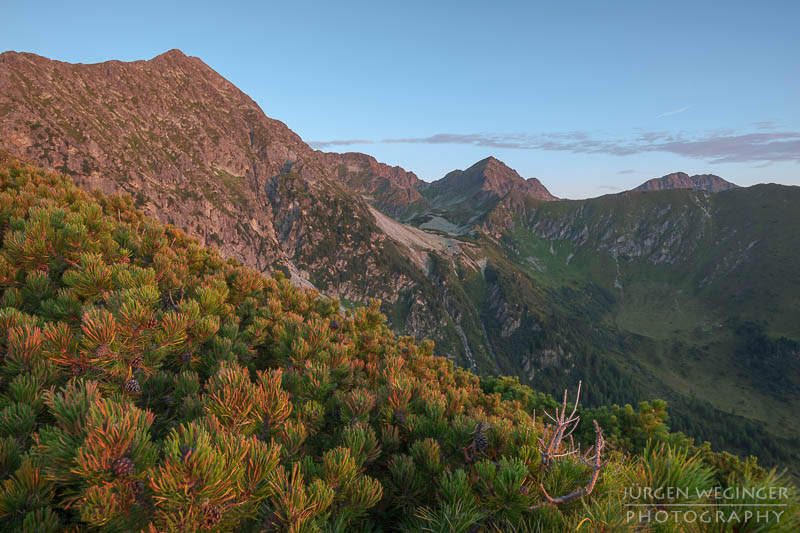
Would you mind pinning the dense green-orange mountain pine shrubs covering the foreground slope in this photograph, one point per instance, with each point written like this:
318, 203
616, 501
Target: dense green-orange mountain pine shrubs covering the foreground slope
148, 384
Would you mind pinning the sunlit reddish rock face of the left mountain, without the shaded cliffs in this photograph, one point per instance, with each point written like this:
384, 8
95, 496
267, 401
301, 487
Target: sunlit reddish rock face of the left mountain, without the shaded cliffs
169, 131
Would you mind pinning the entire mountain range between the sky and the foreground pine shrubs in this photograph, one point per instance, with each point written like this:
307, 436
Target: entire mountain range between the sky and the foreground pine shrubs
683, 288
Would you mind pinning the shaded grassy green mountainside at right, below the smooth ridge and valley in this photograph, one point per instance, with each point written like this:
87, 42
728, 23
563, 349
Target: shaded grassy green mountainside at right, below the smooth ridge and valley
688, 294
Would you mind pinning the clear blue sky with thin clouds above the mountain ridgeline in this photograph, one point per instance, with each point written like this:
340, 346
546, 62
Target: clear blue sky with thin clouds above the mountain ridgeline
589, 97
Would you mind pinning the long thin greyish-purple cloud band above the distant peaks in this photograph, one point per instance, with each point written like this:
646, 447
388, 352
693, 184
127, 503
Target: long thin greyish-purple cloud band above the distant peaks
720, 146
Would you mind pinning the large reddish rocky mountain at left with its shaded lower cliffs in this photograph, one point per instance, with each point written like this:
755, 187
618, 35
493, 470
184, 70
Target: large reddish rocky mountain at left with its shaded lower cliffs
196, 152
